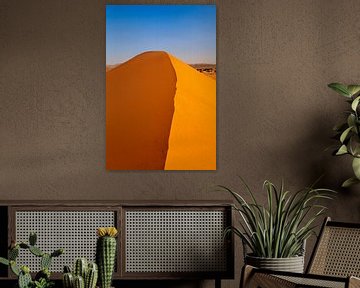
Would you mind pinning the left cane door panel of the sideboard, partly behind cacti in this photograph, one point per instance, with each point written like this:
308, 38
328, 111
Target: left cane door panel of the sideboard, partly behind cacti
73, 230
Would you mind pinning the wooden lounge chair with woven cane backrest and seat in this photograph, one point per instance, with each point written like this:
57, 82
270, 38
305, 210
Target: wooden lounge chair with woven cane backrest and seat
334, 263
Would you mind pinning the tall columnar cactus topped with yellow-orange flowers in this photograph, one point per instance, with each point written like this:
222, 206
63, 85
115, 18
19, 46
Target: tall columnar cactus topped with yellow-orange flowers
106, 254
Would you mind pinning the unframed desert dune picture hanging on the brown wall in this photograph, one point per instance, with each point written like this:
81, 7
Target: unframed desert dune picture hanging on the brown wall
161, 87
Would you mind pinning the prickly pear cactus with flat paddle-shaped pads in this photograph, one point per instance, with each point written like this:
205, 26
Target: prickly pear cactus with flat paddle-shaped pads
42, 278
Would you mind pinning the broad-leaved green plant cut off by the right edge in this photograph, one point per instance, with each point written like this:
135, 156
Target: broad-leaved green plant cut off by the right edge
348, 132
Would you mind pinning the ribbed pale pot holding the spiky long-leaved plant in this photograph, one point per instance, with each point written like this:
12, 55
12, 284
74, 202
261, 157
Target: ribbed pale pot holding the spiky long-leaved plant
291, 264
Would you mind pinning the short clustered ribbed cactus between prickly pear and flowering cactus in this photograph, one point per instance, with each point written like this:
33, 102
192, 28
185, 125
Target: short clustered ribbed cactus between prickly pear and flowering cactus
85, 275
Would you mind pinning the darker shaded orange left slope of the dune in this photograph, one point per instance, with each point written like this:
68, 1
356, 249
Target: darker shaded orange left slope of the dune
139, 110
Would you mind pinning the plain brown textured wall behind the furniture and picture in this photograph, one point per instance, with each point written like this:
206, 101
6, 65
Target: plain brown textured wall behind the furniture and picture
275, 113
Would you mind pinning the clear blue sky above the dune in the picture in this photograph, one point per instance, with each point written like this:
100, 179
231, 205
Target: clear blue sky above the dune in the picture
186, 31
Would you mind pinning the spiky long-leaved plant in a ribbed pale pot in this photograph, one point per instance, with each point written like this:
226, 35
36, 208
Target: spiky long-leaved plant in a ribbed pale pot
275, 234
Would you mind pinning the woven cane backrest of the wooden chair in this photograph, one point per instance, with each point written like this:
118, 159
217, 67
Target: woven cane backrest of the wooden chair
337, 251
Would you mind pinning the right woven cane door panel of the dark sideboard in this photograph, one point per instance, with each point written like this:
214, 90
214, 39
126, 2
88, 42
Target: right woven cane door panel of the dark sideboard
175, 241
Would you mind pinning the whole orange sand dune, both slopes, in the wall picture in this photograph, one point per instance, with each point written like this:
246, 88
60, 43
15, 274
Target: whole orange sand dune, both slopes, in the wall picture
161, 114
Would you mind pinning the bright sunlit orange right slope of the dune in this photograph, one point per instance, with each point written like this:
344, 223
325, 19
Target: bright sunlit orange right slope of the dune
192, 141
